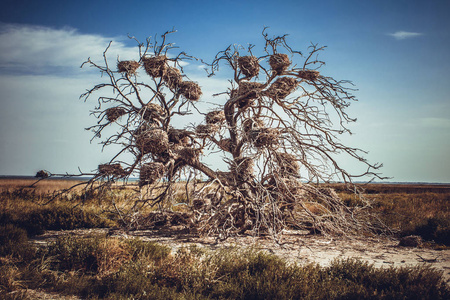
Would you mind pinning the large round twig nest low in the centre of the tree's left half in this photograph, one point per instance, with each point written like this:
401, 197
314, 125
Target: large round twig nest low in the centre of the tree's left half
153, 140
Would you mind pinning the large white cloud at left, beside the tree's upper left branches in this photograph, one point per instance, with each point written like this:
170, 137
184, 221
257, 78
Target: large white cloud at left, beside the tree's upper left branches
38, 49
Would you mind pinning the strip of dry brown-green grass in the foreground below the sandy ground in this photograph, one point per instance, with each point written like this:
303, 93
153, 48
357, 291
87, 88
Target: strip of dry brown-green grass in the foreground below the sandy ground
100, 267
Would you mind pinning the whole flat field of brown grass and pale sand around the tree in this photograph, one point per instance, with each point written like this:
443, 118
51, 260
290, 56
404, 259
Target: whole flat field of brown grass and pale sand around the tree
64, 249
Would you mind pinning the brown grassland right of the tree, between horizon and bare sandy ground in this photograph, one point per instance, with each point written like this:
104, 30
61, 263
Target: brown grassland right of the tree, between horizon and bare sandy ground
412, 210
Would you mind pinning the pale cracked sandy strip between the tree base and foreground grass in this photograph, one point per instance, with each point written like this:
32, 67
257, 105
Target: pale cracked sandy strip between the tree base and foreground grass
297, 247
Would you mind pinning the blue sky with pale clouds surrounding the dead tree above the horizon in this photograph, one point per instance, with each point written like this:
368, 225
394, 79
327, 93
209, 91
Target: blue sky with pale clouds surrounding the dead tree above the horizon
395, 52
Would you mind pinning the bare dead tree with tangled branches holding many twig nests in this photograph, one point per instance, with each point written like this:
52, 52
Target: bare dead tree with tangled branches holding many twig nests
278, 132
